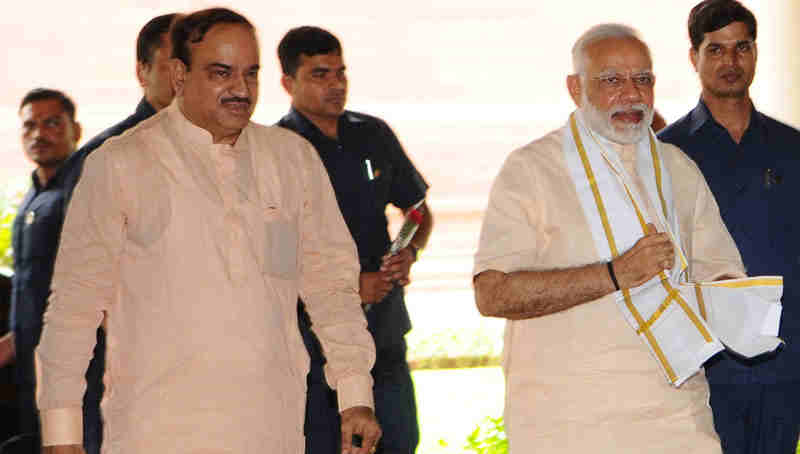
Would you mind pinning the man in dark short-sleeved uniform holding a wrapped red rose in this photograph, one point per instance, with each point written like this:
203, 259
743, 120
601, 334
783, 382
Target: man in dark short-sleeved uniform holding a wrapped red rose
368, 169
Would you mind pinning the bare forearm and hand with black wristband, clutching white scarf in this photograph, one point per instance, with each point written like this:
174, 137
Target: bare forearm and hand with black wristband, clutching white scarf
529, 294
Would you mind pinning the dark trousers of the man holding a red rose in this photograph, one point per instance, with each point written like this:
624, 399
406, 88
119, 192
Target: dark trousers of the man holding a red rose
395, 406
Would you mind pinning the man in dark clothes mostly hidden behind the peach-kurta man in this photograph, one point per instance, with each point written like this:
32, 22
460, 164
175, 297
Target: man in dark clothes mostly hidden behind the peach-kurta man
153, 70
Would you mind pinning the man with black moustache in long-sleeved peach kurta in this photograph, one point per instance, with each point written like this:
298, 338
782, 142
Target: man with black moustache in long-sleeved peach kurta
195, 232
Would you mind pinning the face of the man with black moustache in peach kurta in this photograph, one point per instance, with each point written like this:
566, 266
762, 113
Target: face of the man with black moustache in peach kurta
220, 89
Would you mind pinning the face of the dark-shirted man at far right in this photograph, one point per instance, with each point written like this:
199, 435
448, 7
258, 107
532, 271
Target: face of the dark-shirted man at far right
726, 61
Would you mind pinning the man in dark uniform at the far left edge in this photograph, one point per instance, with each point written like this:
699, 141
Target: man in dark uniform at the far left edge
49, 136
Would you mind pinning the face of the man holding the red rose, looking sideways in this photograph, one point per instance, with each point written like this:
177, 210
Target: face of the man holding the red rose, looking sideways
319, 87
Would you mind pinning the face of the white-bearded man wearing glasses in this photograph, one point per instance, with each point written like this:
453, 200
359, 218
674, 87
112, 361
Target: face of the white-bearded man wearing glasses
615, 93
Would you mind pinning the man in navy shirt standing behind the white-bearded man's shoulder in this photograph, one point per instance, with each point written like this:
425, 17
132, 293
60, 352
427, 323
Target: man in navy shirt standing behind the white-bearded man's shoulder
751, 163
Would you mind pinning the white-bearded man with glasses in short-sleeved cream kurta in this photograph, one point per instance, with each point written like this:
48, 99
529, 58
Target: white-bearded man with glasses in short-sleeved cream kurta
578, 378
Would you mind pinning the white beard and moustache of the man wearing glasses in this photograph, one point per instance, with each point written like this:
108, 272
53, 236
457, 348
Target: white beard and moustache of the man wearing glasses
601, 122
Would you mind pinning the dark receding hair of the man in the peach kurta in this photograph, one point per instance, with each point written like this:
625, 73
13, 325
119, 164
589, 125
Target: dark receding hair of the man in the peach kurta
193, 28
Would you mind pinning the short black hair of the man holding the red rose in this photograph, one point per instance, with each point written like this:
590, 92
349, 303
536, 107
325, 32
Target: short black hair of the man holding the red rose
306, 40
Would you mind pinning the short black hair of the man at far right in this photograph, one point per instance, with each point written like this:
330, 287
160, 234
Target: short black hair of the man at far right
711, 15
